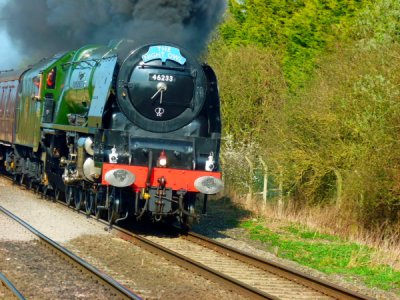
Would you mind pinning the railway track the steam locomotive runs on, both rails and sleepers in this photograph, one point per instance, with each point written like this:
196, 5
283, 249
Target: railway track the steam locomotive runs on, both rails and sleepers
246, 274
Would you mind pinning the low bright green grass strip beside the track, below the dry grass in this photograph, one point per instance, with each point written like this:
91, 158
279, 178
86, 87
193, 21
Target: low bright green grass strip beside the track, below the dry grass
326, 253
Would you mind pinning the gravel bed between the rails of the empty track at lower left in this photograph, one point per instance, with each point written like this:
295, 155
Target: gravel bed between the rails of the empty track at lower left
37, 272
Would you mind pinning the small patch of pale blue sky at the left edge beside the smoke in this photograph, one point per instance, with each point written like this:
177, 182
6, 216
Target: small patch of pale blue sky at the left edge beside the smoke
9, 56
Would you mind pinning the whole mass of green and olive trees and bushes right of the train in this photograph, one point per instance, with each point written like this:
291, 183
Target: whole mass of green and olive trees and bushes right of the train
312, 88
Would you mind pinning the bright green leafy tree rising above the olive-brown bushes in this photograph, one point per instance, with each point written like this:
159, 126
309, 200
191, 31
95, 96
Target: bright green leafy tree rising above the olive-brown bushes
300, 30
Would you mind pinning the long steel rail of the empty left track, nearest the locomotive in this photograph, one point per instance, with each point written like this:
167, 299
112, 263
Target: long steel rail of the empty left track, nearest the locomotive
122, 291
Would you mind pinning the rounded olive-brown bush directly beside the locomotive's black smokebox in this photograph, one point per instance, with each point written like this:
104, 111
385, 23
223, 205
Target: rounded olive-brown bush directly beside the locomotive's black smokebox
252, 89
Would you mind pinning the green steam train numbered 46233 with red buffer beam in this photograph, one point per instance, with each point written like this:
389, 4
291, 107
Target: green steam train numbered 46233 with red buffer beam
116, 133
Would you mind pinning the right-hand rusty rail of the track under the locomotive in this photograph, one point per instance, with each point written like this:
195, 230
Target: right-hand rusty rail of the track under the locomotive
289, 273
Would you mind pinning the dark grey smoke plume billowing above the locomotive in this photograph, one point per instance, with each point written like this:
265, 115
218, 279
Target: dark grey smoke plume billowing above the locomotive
44, 27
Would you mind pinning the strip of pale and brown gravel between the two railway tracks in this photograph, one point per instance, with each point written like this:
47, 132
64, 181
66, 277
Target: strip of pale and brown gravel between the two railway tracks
150, 276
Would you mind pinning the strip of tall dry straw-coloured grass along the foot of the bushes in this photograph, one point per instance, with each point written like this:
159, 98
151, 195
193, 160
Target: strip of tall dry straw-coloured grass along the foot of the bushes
384, 240
